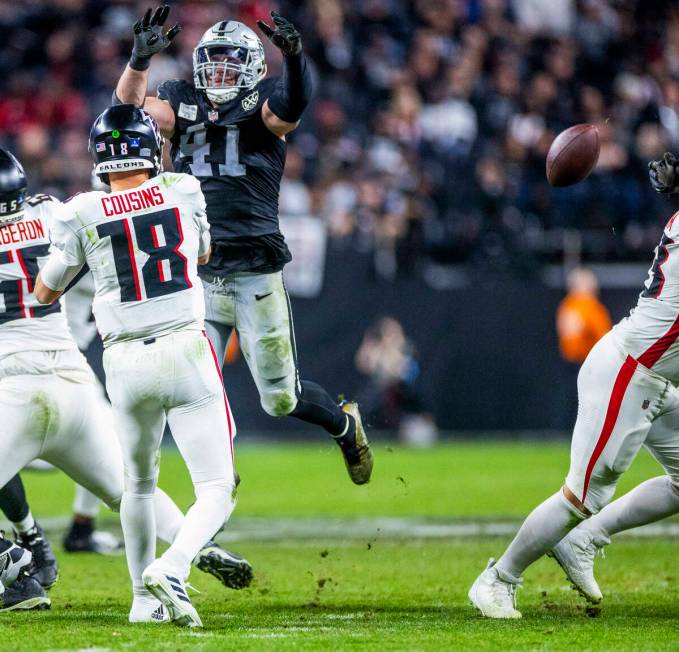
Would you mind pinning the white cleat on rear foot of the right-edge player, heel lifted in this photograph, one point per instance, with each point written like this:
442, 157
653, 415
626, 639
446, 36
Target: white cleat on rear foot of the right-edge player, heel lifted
575, 554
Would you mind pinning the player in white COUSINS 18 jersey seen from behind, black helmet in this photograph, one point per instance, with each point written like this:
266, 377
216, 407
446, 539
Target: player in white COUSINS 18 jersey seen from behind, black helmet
143, 242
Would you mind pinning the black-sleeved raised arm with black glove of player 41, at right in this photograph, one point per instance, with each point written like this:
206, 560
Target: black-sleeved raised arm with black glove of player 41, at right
283, 109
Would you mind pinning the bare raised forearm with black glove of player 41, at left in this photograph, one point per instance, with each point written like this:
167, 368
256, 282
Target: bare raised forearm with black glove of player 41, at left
149, 39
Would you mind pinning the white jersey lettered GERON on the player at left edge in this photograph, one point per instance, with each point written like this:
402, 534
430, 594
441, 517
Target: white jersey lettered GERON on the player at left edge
25, 324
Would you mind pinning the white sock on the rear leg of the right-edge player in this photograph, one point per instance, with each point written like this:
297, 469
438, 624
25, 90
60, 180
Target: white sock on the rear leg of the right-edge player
651, 501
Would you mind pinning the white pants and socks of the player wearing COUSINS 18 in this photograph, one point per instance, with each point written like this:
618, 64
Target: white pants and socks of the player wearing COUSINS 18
173, 378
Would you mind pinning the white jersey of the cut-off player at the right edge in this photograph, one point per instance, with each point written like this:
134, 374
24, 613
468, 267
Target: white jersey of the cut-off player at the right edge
650, 332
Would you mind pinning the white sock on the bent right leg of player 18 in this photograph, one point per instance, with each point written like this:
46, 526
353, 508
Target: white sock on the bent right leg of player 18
206, 516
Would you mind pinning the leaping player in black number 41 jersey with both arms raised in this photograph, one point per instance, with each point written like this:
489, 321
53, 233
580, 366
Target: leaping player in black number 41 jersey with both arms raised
228, 129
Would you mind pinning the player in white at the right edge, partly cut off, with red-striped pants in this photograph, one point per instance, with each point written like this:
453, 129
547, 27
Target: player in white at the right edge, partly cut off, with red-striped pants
627, 397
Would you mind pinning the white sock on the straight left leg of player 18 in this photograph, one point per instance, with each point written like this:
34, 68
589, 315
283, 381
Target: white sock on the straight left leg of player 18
139, 531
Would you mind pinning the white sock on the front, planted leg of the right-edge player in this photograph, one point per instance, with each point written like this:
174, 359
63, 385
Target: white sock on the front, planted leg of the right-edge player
545, 526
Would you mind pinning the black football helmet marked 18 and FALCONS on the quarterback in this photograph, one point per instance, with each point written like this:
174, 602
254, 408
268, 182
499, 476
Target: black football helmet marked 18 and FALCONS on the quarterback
124, 138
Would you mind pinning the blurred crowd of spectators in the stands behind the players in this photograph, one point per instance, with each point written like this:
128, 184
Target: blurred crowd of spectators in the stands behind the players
427, 137
